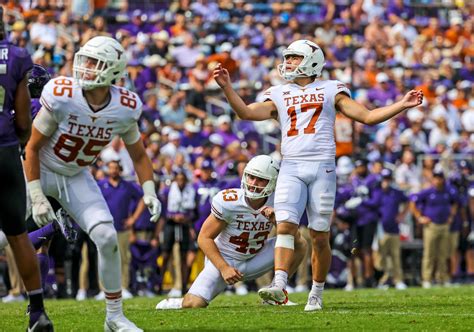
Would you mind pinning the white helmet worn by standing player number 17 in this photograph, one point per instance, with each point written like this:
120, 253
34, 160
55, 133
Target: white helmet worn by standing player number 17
311, 65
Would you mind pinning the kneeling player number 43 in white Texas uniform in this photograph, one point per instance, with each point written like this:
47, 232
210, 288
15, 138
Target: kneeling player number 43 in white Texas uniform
234, 236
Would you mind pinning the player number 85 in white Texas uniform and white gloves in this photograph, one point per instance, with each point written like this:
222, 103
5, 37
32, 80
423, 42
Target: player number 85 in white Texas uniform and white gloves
78, 118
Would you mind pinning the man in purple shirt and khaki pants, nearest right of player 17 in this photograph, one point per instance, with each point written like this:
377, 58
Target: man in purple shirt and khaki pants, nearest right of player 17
390, 217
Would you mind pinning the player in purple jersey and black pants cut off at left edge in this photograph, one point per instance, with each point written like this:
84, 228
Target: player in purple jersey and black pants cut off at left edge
15, 130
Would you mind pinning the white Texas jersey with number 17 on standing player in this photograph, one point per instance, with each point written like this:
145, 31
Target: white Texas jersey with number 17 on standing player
307, 115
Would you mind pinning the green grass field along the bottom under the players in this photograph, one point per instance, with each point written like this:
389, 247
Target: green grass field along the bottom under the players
377, 310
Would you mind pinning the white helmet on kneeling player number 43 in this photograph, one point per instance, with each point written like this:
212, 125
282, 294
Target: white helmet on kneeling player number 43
264, 167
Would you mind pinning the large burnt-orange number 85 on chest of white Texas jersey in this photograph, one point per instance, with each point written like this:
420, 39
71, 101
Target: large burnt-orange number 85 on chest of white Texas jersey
67, 149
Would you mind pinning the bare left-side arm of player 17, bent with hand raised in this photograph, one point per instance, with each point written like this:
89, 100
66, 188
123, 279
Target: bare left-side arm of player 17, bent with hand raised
256, 111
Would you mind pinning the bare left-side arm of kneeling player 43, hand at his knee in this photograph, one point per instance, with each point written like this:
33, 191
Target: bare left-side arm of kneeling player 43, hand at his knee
211, 228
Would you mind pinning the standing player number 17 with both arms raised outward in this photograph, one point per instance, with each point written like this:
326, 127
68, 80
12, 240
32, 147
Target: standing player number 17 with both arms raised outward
306, 109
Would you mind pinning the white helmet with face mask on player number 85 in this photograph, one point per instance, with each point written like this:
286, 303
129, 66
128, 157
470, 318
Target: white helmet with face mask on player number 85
110, 59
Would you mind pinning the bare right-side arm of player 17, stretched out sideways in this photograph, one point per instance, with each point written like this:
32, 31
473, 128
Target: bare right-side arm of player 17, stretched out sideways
360, 113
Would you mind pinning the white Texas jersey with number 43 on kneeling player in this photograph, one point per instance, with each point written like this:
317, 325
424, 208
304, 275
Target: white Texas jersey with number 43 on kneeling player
247, 228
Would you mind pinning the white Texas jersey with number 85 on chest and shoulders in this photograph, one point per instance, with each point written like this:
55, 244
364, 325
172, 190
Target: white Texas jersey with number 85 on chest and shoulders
81, 133
